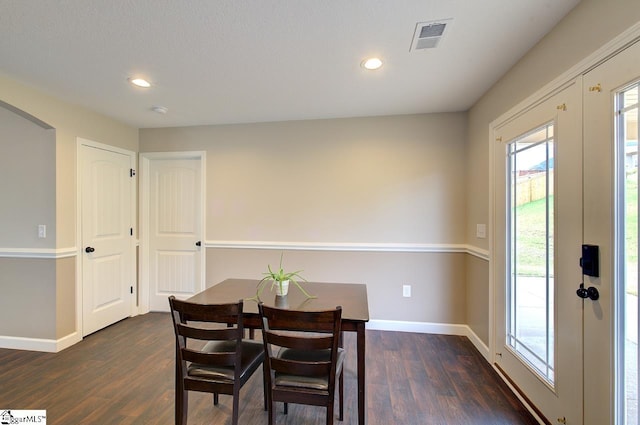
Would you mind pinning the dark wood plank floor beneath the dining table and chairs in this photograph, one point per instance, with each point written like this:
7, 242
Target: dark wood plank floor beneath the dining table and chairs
124, 375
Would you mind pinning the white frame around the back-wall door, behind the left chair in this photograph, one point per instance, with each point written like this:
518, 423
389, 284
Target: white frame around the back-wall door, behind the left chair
145, 164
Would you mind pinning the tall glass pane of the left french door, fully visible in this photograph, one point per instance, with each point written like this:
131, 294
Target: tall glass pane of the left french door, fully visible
530, 324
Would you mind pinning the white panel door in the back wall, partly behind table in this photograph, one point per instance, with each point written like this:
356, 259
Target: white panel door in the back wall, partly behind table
174, 226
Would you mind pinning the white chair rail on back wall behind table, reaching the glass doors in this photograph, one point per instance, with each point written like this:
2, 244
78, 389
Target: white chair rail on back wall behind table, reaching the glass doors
351, 247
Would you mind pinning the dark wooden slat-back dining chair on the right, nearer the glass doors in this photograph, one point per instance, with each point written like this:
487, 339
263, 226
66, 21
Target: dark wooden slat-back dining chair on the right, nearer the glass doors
303, 358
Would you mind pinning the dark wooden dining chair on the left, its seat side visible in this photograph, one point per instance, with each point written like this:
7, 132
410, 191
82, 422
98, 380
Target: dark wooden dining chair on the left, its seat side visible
210, 358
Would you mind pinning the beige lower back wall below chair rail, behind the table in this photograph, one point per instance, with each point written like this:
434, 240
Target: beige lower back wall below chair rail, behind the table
438, 292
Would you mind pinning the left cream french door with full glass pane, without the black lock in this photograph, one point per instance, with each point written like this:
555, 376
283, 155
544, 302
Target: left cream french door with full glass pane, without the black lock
536, 248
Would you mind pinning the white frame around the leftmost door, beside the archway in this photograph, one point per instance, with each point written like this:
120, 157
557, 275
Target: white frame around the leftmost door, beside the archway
134, 212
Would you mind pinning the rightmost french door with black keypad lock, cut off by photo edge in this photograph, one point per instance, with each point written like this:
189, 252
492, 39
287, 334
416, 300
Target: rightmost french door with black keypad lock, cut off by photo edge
610, 163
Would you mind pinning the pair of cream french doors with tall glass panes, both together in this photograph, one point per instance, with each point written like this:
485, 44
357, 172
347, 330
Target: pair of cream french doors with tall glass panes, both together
567, 177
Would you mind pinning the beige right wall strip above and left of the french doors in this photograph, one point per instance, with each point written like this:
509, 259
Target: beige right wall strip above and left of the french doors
589, 26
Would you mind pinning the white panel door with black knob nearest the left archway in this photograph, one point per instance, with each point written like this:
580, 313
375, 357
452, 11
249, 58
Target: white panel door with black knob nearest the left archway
107, 240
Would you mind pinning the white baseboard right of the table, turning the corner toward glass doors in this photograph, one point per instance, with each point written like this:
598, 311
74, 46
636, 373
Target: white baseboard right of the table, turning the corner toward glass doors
431, 328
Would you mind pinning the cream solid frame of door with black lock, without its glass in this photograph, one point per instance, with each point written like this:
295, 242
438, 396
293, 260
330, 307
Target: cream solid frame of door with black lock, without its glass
600, 201
